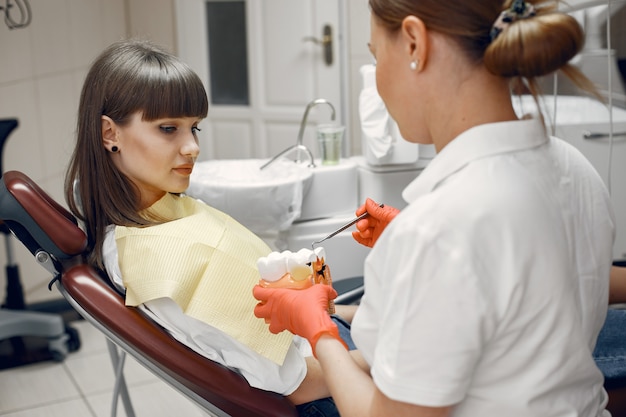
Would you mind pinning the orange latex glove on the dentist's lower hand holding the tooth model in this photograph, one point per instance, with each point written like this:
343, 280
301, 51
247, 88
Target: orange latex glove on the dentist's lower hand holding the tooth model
302, 312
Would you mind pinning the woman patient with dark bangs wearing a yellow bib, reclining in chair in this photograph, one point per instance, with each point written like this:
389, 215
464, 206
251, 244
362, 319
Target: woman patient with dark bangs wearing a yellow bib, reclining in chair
186, 265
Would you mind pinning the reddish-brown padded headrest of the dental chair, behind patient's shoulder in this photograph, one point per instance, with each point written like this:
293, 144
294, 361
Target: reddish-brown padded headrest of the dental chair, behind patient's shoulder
37, 220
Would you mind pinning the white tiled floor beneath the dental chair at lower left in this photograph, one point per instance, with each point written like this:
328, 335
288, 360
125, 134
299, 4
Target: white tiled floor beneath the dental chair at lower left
81, 385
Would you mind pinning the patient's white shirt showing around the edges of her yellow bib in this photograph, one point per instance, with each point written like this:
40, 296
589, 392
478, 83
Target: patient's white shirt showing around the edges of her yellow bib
211, 343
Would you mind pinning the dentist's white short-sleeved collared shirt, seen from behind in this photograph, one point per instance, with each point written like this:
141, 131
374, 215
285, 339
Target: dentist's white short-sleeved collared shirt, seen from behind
488, 291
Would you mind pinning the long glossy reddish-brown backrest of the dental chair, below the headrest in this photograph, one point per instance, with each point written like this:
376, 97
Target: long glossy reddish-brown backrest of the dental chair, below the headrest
132, 331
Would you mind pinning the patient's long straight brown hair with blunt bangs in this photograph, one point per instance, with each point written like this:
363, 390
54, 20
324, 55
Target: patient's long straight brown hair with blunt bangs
129, 76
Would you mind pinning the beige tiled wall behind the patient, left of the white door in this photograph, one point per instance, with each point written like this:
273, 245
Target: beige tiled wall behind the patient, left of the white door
41, 76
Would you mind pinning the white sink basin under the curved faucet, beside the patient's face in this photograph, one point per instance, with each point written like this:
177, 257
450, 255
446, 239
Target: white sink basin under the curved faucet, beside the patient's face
262, 200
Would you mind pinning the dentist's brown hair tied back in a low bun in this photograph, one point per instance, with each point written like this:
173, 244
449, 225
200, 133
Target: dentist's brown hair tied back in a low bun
527, 49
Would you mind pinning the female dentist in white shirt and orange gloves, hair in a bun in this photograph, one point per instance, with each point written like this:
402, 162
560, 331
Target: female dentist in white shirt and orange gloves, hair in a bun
485, 295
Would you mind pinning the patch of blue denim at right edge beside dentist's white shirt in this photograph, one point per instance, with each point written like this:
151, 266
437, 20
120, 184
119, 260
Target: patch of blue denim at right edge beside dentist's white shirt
610, 351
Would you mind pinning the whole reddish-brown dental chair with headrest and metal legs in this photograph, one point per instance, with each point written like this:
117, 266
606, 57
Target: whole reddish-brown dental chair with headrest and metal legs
52, 235
